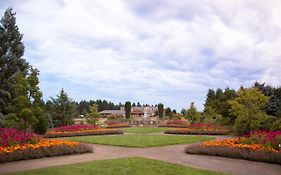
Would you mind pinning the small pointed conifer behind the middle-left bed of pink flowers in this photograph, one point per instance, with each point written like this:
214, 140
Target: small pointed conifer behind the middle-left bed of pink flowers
62, 109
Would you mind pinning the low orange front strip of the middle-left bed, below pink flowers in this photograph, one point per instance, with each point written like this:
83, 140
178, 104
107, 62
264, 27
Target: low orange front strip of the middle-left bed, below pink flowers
99, 131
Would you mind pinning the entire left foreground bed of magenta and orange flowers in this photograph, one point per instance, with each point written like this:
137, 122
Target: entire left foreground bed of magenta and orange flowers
15, 145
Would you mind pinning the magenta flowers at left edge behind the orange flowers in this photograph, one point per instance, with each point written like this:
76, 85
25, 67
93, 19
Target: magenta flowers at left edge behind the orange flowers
11, 137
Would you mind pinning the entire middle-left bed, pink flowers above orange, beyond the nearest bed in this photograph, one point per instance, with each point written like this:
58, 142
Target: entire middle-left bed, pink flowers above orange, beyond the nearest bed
80, 130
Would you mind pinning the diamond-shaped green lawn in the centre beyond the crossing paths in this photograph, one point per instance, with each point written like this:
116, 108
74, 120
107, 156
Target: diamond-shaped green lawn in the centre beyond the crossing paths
140, 140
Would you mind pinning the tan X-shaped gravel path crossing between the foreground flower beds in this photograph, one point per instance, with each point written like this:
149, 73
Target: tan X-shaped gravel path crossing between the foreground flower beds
171, 153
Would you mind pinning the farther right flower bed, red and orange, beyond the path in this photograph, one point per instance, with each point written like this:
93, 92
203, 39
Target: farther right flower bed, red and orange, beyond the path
200, 129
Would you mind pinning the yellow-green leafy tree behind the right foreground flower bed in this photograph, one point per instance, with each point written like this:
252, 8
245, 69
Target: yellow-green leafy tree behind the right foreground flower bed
247, 107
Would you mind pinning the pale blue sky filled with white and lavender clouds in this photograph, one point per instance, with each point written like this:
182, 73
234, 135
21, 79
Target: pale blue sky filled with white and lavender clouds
150, 51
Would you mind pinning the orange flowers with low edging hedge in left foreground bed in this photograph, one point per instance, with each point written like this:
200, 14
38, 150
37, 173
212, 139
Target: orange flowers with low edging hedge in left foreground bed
43, 148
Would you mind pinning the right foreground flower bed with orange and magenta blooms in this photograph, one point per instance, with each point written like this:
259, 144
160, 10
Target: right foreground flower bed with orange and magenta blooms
259, 146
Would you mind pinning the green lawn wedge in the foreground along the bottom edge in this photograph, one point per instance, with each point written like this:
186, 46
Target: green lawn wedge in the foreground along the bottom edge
131, 166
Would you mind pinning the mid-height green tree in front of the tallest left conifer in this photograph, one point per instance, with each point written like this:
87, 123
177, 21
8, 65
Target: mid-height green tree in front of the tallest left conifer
26, 109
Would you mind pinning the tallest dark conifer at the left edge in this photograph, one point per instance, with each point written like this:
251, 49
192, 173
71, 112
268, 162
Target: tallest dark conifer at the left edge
11, 61
